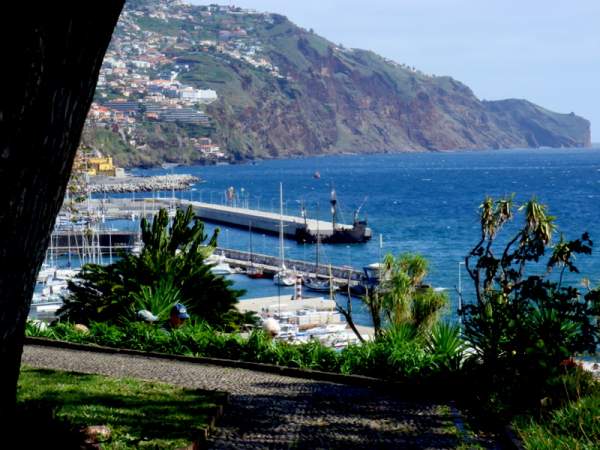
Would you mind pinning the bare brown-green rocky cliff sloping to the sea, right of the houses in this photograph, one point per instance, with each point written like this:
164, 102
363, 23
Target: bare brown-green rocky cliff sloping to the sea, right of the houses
338, 100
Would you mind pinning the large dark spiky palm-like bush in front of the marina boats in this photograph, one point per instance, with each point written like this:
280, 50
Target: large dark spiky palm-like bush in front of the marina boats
170, 268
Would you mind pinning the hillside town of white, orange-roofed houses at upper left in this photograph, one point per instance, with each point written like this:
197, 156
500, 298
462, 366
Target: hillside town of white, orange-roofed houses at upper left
140, 81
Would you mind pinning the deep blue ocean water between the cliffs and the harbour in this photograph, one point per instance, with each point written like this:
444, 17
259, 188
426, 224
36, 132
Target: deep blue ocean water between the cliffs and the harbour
423, 203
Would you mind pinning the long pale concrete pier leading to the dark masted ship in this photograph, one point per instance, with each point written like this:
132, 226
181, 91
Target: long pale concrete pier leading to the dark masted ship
294, 227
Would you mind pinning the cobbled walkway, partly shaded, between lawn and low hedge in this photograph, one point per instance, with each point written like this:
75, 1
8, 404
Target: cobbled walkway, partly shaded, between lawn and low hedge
273, 411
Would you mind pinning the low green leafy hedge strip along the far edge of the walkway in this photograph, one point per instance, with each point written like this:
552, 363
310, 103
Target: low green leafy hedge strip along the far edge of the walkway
399, 354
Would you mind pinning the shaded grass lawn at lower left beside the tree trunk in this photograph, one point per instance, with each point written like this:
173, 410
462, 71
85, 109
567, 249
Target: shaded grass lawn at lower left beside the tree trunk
140, 414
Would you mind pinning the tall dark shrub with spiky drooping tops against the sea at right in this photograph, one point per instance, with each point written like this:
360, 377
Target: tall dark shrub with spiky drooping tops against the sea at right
523, 325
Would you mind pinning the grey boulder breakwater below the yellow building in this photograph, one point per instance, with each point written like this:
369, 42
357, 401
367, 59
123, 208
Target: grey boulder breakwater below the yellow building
141, 184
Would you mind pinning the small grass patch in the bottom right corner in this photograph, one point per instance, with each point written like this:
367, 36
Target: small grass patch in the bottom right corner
573, 427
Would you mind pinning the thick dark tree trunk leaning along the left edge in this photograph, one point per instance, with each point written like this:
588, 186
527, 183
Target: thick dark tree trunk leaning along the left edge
51, 59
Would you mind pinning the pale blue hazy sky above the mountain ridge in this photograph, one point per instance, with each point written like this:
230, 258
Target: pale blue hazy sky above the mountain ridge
547, 51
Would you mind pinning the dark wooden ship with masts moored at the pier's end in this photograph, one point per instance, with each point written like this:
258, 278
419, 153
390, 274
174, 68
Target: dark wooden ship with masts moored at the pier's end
358, 232
